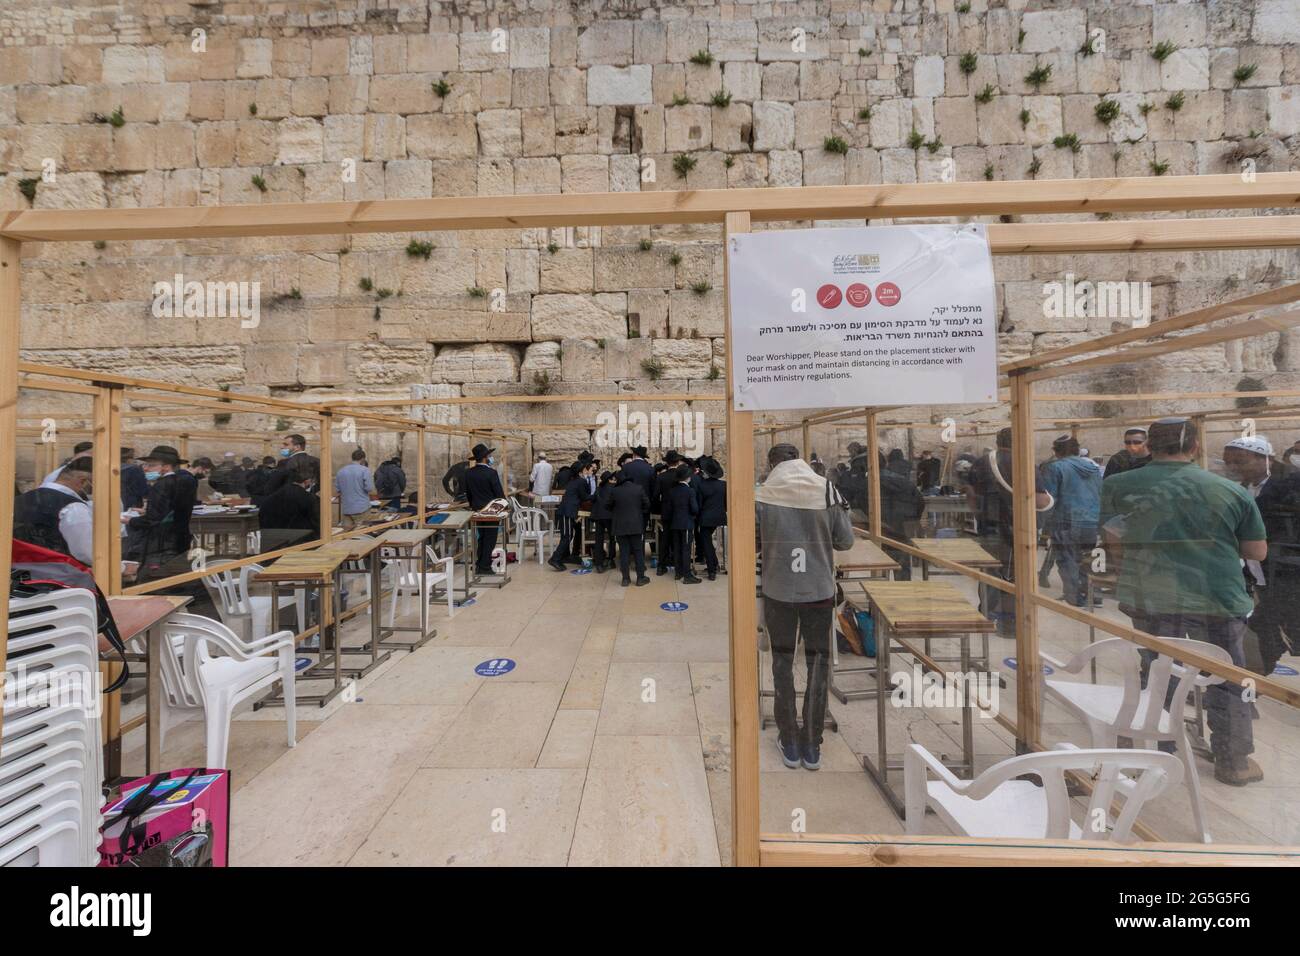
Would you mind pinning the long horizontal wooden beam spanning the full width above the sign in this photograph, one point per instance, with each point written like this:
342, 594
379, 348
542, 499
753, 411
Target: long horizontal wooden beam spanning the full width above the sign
1130, 194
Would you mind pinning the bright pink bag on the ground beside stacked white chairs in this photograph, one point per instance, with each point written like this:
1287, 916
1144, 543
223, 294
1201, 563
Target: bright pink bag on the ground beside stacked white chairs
175, 819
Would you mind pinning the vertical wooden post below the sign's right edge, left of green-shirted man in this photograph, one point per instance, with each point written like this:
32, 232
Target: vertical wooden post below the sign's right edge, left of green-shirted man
1029, 674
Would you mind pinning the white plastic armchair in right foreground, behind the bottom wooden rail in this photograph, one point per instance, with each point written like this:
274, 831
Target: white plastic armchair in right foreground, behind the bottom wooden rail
999, 806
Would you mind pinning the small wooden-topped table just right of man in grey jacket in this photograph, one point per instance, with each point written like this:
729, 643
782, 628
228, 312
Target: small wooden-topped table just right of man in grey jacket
921, 609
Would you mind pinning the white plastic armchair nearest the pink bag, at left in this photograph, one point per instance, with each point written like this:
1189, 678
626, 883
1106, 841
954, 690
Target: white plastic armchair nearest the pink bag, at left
194, 678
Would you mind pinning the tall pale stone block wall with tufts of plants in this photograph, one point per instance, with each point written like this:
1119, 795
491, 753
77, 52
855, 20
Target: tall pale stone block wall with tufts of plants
306, 101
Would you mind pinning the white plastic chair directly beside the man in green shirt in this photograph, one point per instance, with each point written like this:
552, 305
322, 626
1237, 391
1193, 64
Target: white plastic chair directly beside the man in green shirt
1128, 711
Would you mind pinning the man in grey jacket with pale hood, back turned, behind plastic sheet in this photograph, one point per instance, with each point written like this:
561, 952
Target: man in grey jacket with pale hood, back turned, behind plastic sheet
801, 521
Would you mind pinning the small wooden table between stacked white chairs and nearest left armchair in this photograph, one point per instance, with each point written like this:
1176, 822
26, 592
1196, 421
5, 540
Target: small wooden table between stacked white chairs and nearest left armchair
140, 617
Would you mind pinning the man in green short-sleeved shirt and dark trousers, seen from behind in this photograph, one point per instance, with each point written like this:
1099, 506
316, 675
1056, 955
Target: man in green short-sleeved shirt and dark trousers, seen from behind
1181, 535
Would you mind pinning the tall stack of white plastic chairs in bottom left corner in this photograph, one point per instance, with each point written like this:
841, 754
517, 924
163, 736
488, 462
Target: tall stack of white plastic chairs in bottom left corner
51, 758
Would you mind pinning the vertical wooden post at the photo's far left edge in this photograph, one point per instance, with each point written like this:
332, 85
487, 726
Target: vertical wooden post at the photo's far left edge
11, 338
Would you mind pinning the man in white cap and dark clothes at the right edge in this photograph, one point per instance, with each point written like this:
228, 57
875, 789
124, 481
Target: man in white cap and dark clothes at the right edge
1277, 578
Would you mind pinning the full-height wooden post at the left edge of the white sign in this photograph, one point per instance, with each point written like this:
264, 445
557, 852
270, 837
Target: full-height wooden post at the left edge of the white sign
742, 585
